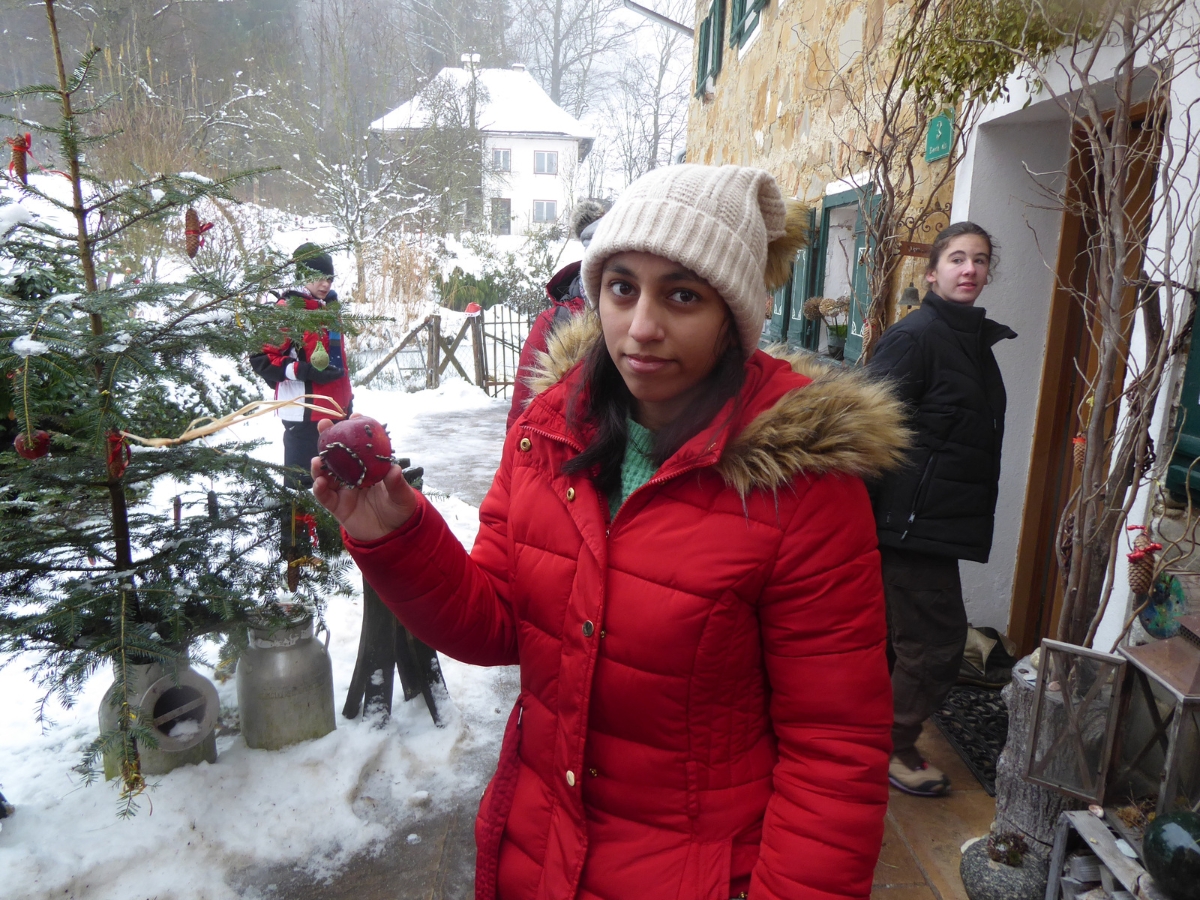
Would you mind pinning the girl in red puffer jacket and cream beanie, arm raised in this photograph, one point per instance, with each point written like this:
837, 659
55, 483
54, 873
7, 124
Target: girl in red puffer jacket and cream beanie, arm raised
680, 554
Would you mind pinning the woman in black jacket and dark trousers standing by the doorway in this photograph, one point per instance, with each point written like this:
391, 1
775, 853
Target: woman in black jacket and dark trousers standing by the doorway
941, 508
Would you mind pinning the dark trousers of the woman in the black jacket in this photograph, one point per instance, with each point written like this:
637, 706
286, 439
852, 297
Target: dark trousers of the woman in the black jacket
927, 634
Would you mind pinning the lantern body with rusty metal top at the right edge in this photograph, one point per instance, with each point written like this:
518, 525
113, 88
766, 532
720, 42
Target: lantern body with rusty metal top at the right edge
1159, 747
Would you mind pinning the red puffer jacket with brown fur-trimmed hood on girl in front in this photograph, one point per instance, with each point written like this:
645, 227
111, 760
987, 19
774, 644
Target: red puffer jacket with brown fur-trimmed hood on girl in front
706, 705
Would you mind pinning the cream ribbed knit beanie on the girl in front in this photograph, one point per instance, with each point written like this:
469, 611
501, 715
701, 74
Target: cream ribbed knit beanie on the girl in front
716, 221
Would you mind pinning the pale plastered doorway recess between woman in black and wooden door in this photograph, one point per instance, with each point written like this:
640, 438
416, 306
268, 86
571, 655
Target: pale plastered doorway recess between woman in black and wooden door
995, 190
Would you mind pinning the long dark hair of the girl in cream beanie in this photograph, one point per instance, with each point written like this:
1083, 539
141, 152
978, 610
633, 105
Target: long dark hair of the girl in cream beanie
604, 403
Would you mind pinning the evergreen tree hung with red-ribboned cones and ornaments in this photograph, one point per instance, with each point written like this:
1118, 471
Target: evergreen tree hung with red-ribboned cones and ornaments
97, 569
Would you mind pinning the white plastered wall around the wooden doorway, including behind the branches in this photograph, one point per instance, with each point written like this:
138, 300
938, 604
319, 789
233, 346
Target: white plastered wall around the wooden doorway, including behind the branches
1013, 151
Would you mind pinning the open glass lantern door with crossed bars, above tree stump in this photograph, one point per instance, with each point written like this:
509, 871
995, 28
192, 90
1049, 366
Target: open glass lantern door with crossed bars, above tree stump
1075, 721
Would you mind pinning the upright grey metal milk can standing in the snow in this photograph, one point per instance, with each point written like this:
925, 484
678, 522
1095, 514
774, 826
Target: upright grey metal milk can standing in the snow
285, 685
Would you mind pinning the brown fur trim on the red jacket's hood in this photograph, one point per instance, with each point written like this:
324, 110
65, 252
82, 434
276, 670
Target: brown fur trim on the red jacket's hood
844, 422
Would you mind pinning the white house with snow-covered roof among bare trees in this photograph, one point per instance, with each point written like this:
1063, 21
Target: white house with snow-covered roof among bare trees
533, 146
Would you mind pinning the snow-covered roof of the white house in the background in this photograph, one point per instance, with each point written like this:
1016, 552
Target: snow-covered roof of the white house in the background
517, 105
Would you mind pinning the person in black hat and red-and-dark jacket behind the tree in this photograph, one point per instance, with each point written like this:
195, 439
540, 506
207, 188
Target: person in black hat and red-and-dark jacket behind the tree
314, 365
